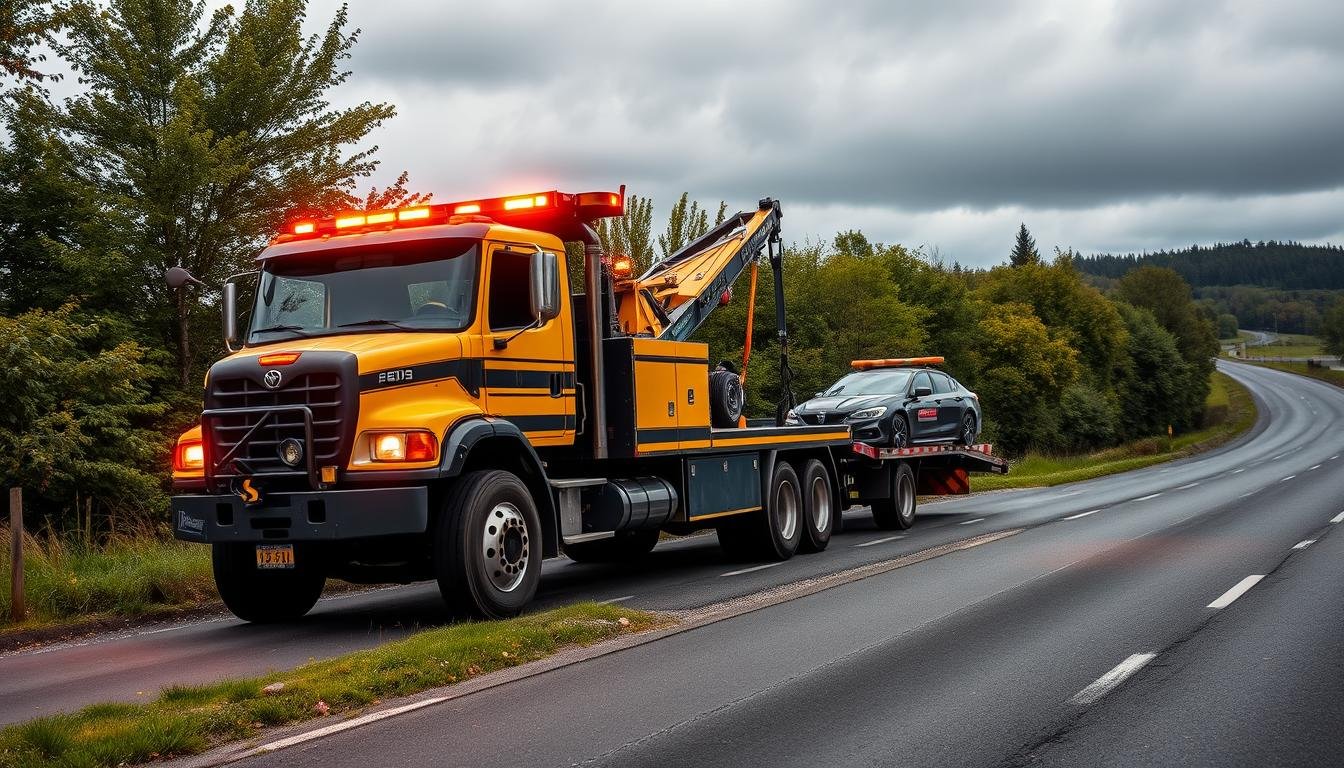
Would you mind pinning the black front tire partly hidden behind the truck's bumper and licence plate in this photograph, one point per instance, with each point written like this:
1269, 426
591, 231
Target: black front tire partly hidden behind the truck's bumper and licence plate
267, 597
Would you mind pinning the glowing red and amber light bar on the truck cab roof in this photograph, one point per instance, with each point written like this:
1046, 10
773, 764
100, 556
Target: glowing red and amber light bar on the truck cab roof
584, 206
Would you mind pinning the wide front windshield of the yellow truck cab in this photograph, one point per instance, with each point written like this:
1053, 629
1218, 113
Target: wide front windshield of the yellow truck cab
427, 286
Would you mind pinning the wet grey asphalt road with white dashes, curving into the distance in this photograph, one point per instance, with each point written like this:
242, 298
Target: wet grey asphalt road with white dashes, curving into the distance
1002, 654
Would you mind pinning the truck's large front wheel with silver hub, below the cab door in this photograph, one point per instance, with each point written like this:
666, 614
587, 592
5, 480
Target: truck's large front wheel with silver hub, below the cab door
489, 545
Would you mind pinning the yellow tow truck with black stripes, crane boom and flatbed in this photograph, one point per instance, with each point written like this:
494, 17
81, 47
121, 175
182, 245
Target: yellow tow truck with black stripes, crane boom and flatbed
421, 395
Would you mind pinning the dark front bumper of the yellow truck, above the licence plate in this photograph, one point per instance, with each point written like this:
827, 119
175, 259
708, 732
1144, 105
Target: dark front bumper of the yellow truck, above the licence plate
322, 516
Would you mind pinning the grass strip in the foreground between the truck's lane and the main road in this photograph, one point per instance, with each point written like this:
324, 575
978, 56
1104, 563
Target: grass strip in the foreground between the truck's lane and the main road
189, 720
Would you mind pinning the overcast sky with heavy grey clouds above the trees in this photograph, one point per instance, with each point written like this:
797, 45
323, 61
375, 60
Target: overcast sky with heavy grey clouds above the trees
1104, 126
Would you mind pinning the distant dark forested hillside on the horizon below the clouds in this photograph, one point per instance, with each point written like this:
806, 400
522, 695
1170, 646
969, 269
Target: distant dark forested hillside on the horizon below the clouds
1284, 266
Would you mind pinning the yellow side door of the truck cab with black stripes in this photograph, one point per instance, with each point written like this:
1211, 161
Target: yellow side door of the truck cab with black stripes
532, 380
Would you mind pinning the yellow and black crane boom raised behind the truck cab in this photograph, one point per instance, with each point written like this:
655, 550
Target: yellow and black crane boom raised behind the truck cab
675, 297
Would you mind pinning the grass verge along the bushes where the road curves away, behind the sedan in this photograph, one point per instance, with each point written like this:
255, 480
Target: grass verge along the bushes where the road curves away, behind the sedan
1229, 411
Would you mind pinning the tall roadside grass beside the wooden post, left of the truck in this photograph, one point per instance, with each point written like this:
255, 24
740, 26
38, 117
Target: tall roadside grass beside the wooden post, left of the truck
124, 578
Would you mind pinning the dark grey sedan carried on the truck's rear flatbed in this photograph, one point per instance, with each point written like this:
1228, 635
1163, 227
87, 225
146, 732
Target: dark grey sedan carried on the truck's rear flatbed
896, 406
